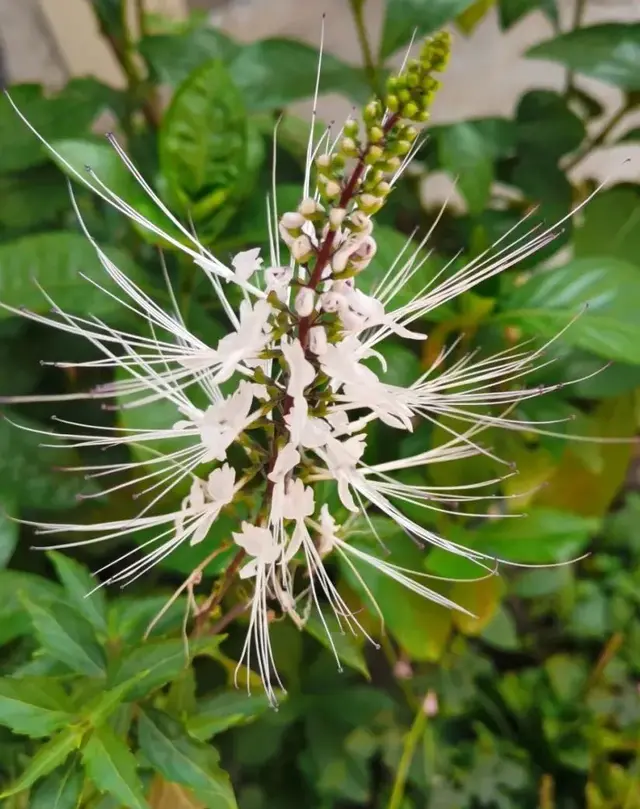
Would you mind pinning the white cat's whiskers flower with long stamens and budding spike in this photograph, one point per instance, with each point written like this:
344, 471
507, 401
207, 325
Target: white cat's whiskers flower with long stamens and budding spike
305, 379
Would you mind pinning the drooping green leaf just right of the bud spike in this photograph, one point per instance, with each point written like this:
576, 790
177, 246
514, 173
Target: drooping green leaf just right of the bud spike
464, 153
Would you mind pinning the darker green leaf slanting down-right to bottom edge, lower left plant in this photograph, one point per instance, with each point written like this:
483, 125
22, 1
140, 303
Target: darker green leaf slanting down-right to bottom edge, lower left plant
181, 759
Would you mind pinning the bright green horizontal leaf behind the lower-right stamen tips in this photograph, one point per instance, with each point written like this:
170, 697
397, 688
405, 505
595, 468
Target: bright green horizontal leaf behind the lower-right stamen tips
543, 536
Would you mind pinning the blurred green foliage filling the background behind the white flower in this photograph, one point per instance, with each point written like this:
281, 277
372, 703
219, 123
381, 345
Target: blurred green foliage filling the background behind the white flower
535, 702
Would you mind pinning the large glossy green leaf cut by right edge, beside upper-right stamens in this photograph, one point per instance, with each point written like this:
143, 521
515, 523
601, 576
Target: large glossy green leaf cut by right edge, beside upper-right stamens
609, 327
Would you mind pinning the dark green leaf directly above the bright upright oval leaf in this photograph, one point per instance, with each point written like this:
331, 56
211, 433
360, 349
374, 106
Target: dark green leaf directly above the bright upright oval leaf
172, 57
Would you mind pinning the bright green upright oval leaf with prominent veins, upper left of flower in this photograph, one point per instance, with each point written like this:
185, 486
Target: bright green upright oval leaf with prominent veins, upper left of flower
204, 144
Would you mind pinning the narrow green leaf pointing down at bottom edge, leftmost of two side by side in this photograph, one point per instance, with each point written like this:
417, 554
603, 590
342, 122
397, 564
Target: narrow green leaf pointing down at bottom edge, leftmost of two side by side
112, 768
